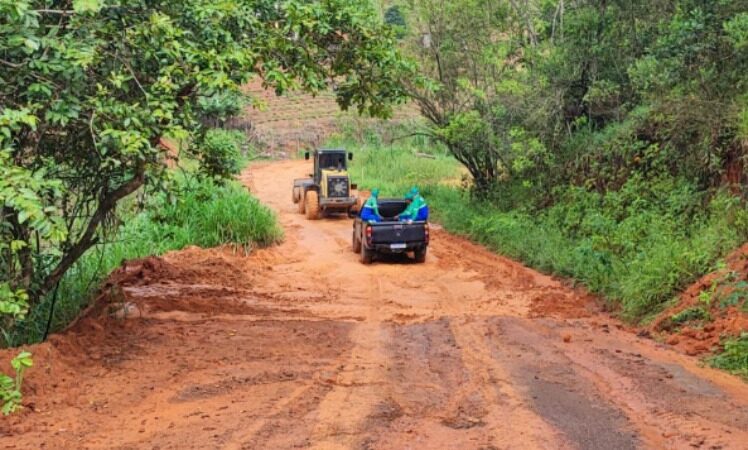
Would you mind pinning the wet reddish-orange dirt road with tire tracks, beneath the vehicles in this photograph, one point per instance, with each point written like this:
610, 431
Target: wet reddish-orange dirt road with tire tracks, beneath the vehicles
302, 346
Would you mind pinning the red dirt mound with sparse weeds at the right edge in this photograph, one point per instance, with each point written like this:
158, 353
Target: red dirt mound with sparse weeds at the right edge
709, 311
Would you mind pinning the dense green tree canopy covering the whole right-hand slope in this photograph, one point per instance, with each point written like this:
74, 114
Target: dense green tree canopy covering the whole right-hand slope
549, 92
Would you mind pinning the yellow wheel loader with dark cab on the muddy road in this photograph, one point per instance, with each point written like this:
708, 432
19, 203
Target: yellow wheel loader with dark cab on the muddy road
328, 189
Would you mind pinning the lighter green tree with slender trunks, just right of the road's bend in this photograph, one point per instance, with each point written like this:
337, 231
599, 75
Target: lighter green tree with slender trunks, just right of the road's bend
475, 88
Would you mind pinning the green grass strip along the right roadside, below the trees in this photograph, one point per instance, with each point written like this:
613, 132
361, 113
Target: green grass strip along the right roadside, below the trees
635, 268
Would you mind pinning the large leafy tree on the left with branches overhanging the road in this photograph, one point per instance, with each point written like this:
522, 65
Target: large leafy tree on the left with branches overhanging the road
89, 87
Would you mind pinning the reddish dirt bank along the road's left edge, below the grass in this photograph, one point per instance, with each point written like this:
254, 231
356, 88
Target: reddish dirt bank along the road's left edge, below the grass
176, 285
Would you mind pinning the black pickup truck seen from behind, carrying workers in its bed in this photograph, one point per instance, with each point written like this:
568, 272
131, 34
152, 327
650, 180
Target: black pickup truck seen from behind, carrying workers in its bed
390, 235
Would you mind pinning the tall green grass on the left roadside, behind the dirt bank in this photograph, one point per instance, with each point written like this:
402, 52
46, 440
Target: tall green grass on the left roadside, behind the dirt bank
200, 213
